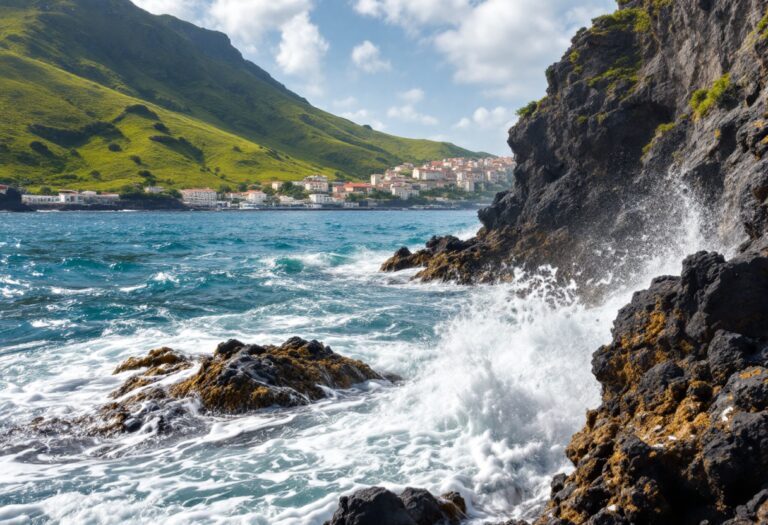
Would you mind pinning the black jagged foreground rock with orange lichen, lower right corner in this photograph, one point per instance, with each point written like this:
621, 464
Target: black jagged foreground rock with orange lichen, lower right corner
681, 435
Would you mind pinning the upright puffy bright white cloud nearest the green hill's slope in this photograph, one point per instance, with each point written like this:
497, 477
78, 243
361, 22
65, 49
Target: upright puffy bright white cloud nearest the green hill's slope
302, 47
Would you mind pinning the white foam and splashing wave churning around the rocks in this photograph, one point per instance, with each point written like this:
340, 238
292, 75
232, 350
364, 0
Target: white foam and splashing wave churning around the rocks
490, 400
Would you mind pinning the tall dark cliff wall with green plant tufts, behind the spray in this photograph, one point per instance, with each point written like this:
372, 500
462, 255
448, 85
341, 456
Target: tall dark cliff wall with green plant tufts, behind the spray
599, 158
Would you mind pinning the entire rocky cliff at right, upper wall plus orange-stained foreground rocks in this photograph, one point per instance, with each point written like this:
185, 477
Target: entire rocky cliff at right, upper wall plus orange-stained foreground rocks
658, 107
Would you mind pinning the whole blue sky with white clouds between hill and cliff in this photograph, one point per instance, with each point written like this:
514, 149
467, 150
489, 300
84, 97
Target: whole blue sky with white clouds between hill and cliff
452, 70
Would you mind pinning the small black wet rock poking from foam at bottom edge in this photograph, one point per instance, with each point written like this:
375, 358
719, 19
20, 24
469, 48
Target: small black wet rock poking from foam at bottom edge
379, 506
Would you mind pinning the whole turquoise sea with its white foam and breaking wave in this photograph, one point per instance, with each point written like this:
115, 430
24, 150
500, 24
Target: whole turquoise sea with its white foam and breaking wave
495, 381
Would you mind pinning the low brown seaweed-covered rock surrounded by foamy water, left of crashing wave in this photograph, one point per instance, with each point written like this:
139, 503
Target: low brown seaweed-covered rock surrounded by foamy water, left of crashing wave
237, 379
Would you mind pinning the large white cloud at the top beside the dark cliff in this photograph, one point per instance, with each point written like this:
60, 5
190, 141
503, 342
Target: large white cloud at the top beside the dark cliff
503, 45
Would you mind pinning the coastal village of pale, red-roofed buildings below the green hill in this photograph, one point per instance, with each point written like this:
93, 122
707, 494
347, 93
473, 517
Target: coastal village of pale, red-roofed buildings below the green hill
437, 184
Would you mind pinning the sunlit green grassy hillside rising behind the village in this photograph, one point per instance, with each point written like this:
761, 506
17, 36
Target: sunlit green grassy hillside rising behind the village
101, 94
